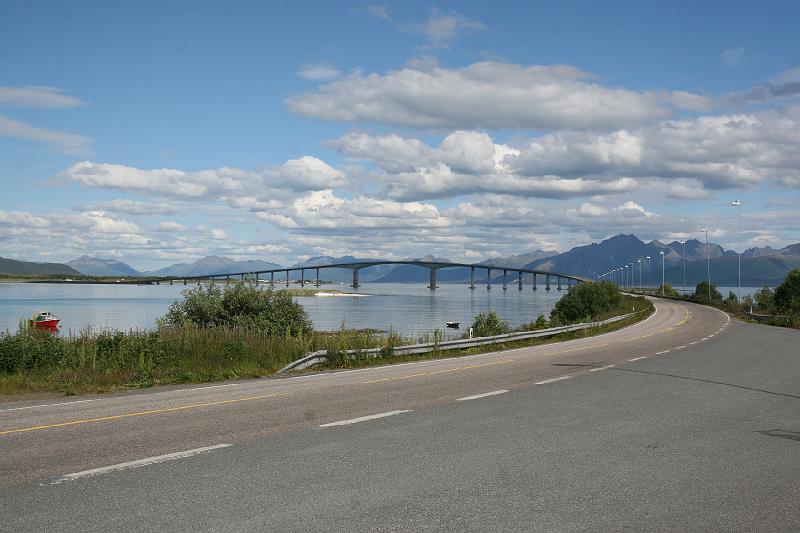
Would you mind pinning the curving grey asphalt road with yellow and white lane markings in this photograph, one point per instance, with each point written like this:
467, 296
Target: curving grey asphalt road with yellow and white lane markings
687, 421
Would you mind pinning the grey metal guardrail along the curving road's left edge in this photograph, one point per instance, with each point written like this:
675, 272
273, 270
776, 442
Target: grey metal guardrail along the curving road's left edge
320, 356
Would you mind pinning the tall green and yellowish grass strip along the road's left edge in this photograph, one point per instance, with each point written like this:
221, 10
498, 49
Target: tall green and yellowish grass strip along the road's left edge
35, 361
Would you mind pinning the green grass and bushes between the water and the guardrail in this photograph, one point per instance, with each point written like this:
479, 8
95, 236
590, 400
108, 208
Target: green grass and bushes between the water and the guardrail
239, 330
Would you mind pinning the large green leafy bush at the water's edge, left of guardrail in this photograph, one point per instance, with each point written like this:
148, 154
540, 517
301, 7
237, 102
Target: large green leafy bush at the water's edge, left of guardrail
240, 305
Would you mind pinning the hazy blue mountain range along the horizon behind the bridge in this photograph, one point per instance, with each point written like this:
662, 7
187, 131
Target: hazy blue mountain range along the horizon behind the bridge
760, 266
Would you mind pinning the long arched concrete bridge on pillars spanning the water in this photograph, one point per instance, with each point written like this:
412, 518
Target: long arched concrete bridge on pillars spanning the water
432, 266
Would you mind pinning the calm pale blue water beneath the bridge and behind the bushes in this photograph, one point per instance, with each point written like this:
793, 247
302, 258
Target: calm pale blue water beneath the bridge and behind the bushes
410, 309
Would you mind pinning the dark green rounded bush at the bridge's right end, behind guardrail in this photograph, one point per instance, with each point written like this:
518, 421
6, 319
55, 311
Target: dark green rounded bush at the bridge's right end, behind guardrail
586, 301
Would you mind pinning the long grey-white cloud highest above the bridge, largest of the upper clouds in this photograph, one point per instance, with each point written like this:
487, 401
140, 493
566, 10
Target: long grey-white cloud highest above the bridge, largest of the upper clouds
488, 94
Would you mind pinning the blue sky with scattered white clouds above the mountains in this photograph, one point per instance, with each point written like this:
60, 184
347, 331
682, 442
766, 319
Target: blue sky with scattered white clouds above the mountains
160, 132
